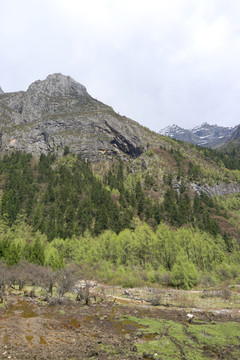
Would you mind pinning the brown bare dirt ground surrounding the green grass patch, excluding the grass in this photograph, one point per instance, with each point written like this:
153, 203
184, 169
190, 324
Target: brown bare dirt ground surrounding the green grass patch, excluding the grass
33, 330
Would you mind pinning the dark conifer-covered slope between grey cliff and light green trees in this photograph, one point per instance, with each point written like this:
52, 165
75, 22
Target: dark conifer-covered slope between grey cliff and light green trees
62, 196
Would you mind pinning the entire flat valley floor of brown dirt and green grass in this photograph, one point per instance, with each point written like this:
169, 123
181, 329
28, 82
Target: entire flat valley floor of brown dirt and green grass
125, 325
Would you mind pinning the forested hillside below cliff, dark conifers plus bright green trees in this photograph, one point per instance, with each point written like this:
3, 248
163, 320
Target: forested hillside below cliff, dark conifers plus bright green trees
127, 222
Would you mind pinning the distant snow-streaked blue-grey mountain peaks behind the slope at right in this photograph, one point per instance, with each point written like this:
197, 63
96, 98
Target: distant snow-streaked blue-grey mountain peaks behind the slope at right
205, 135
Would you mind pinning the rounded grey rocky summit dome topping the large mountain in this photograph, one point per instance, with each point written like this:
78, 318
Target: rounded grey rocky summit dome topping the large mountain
58, 85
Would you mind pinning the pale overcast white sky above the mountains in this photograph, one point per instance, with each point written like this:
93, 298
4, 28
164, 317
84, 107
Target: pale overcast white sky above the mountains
158, 62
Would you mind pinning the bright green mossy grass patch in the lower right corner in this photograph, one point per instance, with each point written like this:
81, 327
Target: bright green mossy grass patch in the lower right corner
188, 341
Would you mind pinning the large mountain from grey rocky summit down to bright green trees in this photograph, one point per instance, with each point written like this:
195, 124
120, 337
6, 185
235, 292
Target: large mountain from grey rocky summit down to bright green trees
148, 203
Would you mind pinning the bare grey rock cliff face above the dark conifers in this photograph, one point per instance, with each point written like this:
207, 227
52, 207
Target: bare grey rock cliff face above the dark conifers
58, 112
